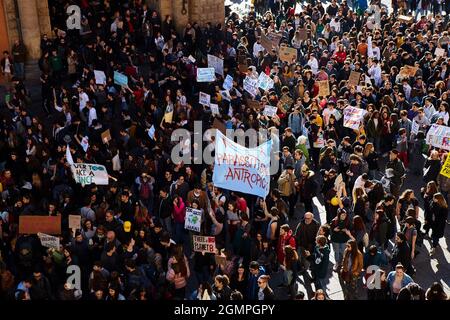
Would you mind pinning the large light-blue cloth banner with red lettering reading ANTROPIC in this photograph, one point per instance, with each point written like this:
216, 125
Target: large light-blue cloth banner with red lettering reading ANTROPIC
242, 169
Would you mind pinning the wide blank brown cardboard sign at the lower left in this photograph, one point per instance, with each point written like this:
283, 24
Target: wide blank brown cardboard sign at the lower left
36, 224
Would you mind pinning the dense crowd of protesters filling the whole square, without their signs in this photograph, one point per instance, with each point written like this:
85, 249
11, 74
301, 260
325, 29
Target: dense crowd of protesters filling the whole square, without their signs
133, 244
